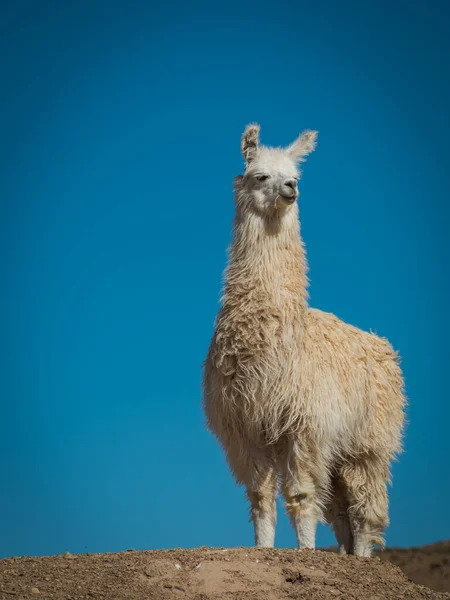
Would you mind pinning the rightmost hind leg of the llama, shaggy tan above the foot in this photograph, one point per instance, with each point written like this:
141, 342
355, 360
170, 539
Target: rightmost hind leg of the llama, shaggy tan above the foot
368, 505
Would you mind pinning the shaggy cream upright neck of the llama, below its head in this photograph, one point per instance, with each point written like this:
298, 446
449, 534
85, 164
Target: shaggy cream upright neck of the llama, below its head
268, 255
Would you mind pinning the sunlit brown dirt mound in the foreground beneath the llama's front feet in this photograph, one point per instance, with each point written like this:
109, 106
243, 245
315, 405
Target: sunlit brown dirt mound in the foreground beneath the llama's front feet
207, 574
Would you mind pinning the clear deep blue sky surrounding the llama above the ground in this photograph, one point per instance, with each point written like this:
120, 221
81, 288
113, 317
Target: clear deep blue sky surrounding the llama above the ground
120, 125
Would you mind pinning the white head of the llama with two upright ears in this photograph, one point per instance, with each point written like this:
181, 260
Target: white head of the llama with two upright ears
271, 174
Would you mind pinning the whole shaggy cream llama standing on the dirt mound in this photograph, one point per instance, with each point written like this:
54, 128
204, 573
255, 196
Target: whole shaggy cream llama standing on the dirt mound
293, 394
